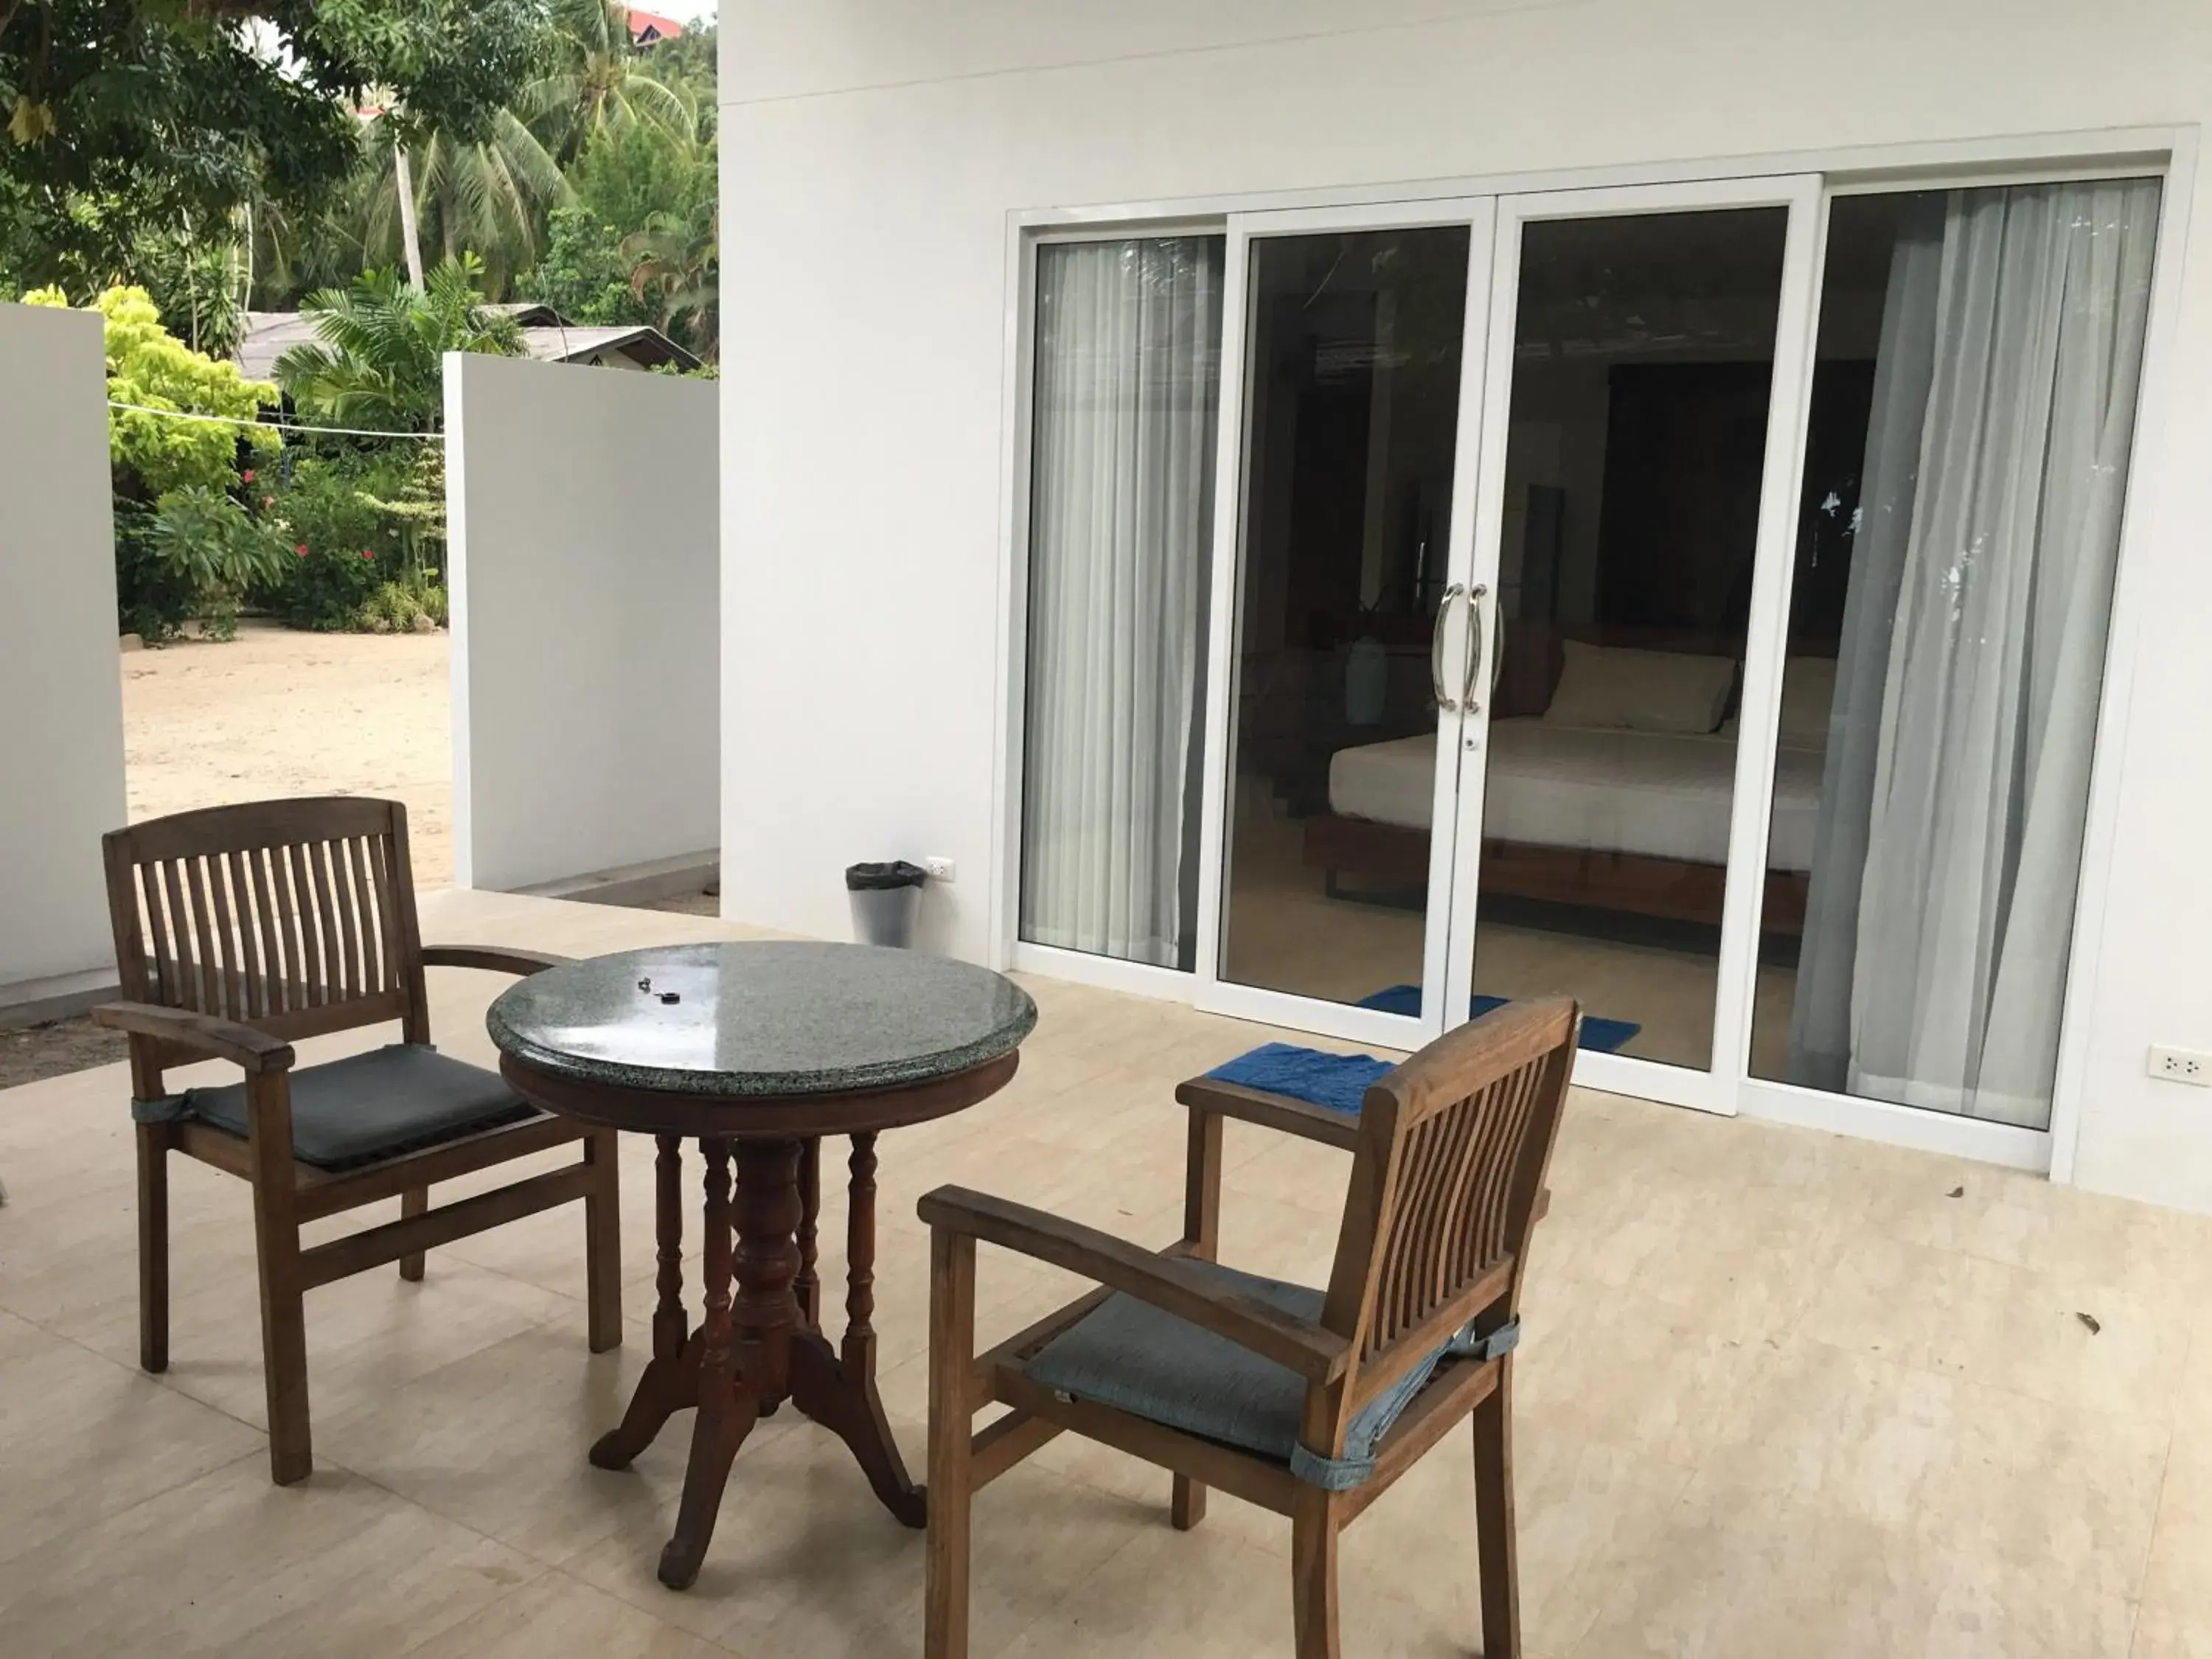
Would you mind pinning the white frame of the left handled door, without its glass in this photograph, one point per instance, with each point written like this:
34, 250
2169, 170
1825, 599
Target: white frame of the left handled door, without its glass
1213, 992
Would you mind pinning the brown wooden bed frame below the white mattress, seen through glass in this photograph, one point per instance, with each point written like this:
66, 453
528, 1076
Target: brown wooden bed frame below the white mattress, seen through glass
1620, 881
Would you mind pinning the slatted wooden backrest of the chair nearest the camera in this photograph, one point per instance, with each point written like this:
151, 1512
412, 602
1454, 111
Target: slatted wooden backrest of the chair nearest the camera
1446, 1187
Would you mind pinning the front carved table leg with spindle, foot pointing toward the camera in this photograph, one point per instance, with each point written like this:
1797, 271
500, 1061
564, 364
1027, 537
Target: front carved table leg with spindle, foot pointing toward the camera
727, 1408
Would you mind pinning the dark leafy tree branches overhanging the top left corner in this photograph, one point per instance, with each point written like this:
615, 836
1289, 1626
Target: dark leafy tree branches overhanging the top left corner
132, 118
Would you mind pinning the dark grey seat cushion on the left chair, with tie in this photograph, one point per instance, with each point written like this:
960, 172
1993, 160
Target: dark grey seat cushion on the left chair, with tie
379, 1105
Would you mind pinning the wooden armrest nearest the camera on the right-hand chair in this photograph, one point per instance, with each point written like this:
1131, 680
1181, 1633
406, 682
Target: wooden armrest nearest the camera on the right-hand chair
1171, 1284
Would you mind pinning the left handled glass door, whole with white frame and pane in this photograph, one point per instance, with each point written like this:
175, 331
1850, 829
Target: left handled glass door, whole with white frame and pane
1342, 581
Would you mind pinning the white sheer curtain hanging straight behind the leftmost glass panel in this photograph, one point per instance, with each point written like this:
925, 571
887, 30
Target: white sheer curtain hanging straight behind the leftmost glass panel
1123, 439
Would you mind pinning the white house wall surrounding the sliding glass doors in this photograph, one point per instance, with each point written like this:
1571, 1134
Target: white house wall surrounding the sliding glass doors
875, 154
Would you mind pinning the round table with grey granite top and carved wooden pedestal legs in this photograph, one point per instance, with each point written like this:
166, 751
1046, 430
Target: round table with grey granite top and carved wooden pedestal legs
758, 1052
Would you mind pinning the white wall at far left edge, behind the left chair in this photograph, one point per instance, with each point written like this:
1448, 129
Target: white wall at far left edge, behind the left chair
61, 685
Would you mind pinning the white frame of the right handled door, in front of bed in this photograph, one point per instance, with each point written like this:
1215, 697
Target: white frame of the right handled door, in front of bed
1799, 306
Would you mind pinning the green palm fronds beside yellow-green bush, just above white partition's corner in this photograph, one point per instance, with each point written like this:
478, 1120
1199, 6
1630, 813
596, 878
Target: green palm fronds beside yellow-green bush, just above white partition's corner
382, 355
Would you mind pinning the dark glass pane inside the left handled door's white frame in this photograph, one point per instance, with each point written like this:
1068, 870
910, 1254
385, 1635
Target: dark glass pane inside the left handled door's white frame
1350, 424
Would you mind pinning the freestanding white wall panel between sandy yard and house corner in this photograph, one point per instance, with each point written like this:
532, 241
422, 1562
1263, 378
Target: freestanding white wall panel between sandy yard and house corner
583, 519
